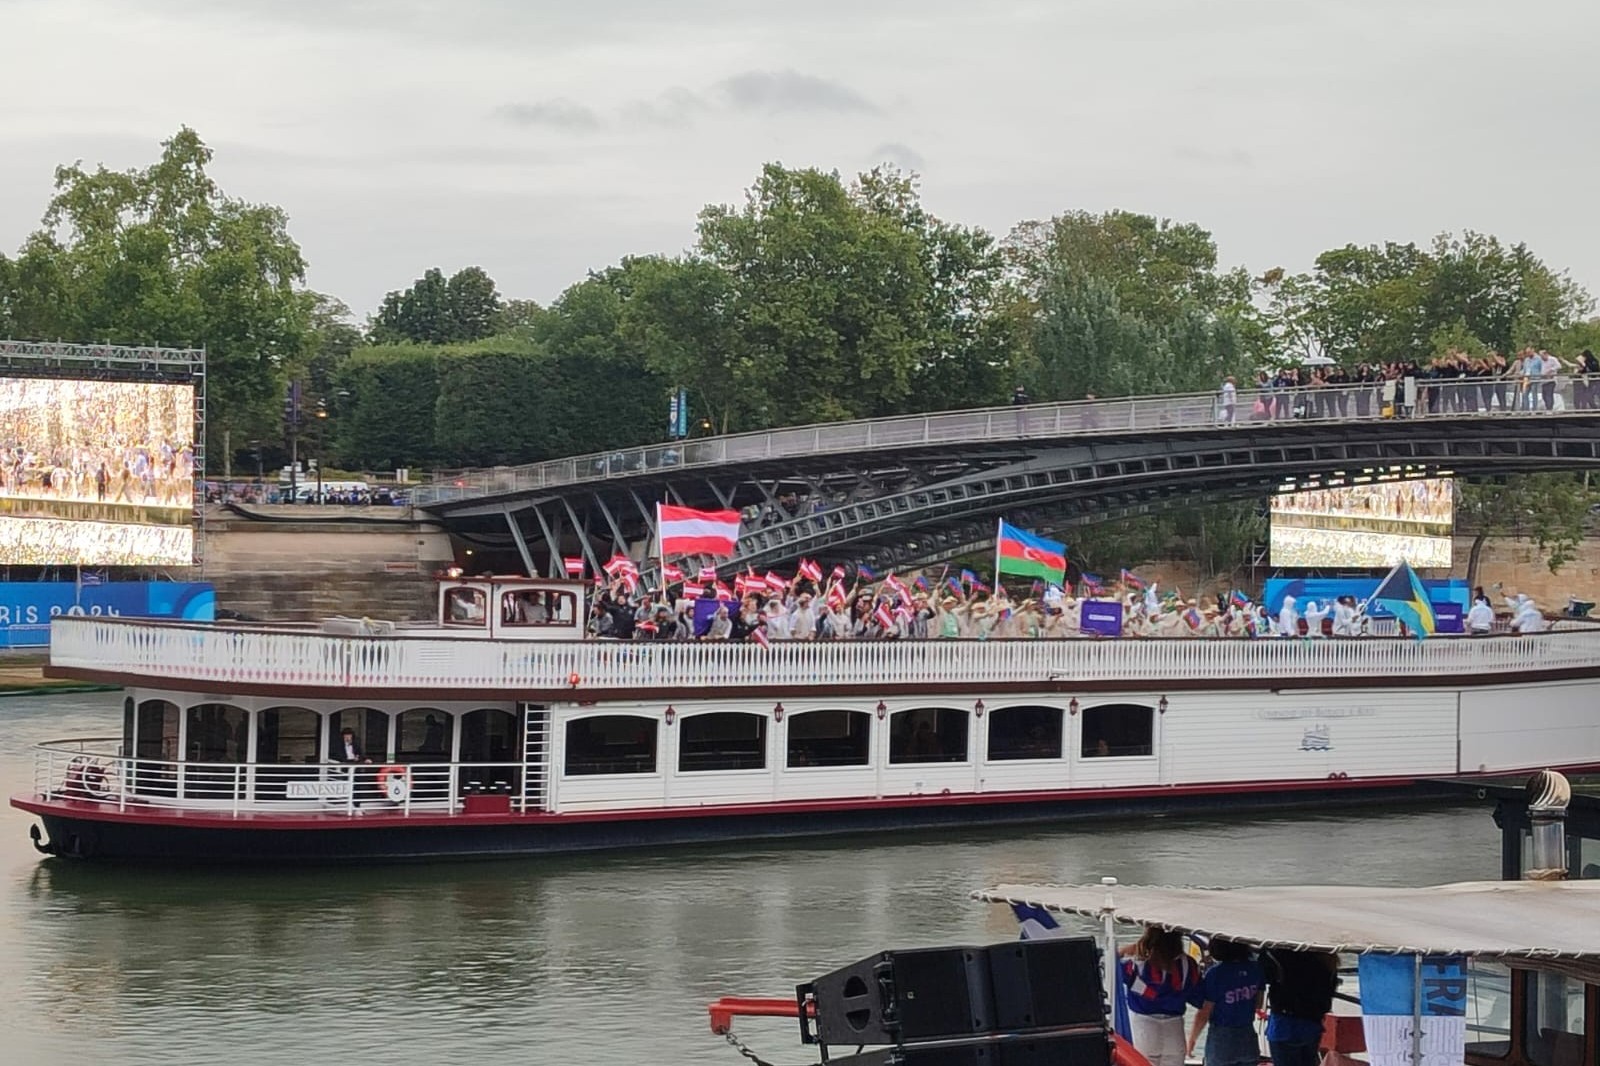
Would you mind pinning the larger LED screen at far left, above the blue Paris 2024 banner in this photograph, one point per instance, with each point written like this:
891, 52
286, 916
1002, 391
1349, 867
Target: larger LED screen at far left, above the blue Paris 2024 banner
97, 473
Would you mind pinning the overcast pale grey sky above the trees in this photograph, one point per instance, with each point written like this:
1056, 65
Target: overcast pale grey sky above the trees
542, 140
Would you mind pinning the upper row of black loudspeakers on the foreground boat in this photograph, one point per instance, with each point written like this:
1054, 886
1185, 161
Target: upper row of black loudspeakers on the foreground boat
943, 993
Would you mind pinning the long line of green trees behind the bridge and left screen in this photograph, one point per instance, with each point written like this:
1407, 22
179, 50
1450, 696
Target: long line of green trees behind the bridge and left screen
817, 299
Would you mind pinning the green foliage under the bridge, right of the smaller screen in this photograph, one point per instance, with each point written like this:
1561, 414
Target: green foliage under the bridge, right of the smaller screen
1550, 510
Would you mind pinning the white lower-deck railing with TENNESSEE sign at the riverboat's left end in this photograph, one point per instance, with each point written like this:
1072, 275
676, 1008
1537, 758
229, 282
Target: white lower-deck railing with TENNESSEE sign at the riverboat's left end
94, 771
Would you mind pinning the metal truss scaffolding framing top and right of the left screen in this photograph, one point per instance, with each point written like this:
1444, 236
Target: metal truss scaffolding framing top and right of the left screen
122, 363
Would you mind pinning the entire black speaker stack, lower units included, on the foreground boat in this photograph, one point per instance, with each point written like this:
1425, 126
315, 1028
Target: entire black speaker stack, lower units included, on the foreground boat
1036, 1003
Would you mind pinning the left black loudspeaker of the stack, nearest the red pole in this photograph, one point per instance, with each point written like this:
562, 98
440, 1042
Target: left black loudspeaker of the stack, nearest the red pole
900, 996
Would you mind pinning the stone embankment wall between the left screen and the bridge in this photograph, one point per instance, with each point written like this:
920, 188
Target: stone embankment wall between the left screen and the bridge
305, 569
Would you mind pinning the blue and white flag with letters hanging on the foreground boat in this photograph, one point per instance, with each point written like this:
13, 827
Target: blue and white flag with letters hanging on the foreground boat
1390, 1004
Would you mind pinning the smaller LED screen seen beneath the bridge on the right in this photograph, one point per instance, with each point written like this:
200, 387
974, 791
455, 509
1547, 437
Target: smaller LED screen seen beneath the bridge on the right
1366, 526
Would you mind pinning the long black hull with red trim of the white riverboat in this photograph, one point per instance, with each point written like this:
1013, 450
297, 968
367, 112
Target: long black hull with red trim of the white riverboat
79, 832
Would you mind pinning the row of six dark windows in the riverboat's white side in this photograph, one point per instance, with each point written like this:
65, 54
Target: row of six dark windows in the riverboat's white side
737, 740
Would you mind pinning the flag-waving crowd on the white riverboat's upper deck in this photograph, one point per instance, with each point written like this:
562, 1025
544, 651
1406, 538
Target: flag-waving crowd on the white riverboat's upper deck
767, 609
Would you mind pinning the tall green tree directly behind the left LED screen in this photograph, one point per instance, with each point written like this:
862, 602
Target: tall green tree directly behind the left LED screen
162, 257
